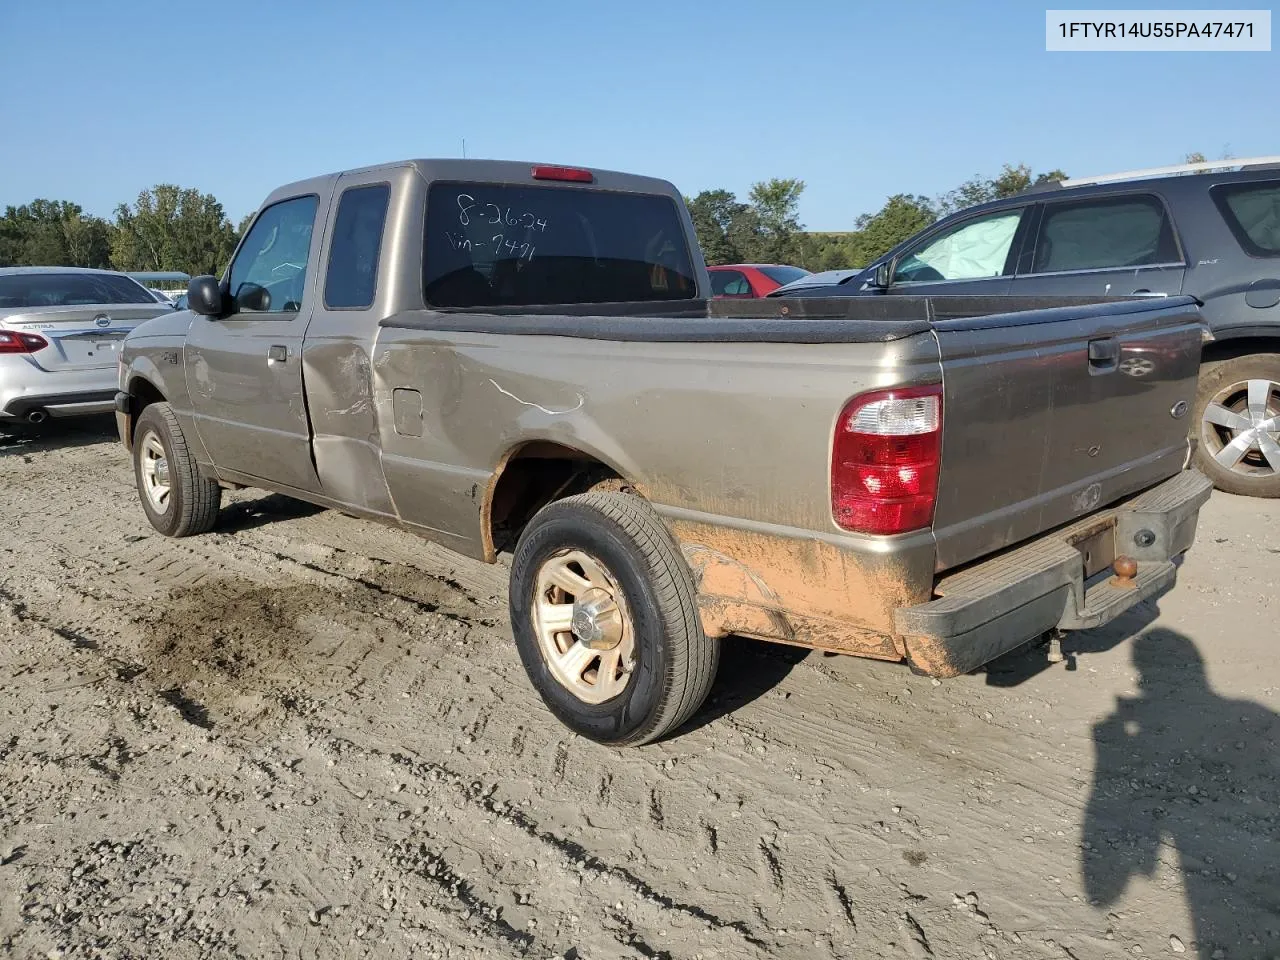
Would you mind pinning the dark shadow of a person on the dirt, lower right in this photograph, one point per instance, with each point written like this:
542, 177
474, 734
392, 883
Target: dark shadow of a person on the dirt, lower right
1190, 781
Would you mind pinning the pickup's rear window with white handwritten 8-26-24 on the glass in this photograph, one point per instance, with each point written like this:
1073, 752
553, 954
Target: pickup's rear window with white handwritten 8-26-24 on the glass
509, 245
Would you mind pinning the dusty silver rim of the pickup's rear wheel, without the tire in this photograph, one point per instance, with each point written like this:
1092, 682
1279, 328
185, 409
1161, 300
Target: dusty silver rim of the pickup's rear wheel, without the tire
584, 628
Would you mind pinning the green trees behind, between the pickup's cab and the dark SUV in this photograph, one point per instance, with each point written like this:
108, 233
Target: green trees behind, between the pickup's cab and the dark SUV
767, 227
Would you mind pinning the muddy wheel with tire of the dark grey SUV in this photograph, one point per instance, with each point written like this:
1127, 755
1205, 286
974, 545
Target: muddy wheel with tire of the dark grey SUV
1224, 396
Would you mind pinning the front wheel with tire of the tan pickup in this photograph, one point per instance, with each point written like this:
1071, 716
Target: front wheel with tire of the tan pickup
190, 505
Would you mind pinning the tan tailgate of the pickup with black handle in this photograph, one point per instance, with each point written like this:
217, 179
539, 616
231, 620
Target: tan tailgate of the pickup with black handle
1054, 414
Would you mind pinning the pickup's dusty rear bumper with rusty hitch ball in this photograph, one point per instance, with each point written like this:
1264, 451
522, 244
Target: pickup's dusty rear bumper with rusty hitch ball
1059, 582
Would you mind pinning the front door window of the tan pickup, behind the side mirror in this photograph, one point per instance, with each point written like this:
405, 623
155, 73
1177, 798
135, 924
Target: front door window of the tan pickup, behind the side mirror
273, 259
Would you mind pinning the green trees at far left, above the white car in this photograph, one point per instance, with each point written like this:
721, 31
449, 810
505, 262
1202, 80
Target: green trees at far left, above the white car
167, 228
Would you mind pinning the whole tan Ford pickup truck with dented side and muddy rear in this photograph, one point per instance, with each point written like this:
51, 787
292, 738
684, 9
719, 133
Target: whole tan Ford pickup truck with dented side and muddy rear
515, 359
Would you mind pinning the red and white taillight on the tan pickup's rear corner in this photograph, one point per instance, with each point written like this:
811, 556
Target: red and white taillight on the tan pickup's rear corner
885, 461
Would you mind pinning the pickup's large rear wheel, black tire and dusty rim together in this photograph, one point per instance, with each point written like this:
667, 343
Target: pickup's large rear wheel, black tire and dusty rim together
673, 661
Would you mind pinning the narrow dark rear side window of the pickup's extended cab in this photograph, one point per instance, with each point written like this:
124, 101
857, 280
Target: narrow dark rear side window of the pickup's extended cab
351, 280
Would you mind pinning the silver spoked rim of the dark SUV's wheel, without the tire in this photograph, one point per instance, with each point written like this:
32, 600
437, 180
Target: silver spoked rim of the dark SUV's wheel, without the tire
1241, 428
